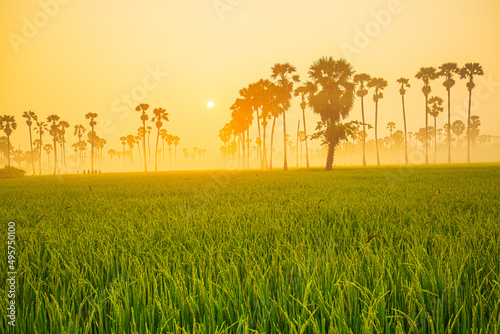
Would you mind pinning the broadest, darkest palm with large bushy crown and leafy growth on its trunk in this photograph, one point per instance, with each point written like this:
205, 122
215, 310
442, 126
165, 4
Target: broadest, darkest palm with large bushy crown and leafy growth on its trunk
332, 98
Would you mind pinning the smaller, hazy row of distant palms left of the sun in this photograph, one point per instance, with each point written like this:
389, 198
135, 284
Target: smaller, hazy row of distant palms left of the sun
89, 147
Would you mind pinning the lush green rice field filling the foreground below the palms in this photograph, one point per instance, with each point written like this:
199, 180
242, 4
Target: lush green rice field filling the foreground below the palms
376, 250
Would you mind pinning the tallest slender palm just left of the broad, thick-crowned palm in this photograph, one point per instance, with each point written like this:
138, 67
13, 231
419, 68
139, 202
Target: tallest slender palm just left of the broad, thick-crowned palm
284, 76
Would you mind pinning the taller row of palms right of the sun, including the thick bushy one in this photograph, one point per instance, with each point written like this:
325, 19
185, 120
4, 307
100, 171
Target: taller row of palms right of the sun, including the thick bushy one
330, 92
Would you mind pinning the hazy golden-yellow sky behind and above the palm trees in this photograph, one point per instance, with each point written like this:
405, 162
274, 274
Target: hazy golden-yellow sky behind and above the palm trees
74, 56
